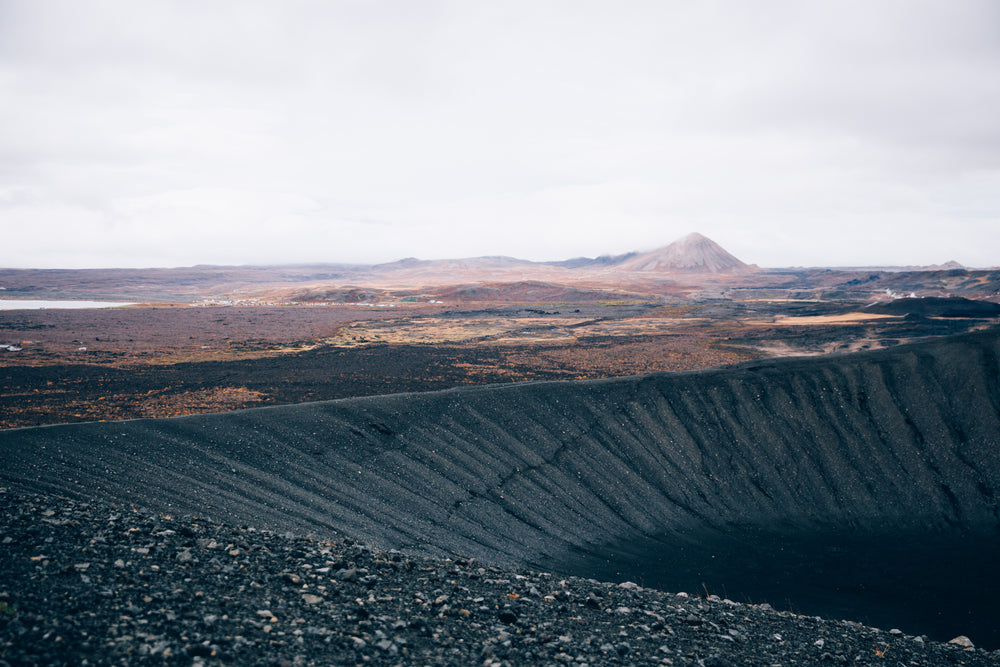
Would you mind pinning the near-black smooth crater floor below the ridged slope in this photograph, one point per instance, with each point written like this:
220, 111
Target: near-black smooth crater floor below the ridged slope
942, 583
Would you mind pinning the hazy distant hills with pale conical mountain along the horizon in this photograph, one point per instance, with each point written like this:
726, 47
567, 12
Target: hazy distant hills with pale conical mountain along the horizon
686, 266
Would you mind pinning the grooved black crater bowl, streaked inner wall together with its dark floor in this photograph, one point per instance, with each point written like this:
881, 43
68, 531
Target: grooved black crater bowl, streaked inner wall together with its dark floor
862, 486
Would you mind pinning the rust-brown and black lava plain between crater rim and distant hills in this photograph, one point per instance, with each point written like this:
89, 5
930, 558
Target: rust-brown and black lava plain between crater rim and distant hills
113, 364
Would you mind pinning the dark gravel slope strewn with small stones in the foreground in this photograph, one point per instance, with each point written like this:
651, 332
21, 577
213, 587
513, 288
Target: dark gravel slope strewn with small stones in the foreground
89, 584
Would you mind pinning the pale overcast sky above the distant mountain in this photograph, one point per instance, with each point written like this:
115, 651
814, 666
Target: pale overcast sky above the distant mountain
229, 132
